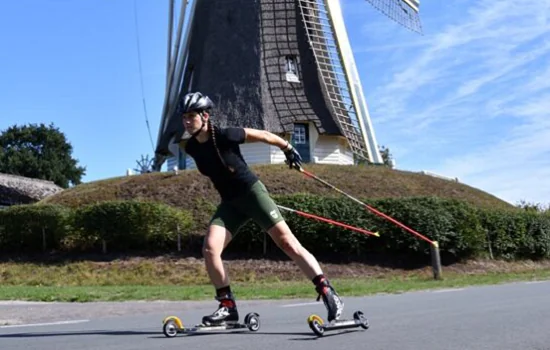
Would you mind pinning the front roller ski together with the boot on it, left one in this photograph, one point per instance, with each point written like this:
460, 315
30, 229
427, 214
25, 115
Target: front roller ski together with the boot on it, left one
225, 318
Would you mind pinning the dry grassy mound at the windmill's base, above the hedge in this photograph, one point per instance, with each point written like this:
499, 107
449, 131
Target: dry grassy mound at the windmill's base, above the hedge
190, 190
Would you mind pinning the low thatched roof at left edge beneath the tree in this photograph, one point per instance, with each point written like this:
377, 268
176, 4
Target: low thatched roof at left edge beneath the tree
23, 190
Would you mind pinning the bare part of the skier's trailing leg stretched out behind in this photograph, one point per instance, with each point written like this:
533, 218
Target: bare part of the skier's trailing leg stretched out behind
285, 239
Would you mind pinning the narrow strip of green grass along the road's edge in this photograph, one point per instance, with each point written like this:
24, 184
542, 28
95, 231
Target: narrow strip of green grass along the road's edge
256, 289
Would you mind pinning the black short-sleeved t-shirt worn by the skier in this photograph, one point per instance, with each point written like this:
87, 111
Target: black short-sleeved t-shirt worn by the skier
229, 184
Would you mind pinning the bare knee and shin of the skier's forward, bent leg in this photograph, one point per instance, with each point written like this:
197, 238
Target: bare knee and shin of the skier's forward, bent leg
217, 238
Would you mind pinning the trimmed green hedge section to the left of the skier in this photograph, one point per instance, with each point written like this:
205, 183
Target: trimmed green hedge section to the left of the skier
109, 226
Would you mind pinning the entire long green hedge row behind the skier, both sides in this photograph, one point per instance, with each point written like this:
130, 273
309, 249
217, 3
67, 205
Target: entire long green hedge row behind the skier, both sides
463, 231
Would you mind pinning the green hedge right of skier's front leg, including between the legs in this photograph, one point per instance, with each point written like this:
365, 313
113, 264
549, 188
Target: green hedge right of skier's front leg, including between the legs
462, 231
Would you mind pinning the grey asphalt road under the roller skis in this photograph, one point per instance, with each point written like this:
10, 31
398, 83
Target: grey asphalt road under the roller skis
511, 316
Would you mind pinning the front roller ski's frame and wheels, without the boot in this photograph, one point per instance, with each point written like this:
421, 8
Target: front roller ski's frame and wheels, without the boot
173, 325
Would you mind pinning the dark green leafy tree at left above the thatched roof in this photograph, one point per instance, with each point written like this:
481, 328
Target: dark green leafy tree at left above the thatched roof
40, 152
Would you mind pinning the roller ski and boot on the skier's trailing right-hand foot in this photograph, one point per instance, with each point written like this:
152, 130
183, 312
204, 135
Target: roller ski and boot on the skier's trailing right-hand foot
335, 307
